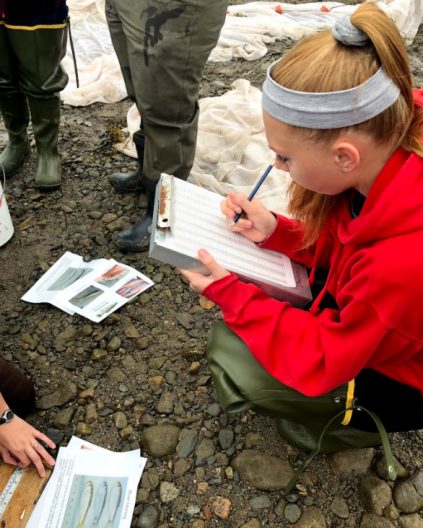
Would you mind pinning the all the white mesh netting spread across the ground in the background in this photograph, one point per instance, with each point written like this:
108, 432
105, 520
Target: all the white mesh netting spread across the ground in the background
231, 148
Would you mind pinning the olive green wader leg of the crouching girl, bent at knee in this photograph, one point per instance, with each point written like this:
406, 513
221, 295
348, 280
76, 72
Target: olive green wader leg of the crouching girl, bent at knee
242, 384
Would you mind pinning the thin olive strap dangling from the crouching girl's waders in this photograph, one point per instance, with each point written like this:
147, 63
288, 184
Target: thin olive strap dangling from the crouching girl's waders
389, 459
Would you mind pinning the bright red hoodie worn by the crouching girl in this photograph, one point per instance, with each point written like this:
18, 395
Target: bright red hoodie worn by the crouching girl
375, 266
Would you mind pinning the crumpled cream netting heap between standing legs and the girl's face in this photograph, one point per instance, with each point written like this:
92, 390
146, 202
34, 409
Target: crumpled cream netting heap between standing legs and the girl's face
232, 150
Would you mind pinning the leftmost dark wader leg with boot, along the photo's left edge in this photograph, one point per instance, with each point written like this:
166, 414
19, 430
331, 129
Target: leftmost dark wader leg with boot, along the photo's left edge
14, 110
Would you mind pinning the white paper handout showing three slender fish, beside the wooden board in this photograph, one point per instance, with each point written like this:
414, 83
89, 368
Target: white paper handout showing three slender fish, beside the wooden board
90, 486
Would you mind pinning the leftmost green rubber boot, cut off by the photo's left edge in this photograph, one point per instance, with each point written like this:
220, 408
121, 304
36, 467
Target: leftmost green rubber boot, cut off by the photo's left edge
14, 109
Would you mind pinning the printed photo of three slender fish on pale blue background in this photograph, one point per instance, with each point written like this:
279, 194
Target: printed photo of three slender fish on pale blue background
95, 501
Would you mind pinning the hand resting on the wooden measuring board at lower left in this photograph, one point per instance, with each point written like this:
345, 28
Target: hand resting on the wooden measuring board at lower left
19, 445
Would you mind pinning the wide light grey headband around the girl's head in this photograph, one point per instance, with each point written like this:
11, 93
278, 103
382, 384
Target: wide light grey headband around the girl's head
327, 110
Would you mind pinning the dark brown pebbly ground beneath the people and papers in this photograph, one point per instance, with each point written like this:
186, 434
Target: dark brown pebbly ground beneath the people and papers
153, 369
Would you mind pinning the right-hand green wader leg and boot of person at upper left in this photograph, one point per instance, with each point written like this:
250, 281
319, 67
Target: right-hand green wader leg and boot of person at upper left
41, 78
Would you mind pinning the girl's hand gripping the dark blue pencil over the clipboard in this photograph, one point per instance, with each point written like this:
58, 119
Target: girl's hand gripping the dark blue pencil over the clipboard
257, 223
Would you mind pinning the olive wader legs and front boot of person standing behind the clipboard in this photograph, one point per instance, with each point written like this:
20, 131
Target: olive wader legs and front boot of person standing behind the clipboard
168, 45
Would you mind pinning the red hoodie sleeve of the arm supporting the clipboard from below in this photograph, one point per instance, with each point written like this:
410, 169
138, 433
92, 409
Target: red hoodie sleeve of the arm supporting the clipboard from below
312, 354
